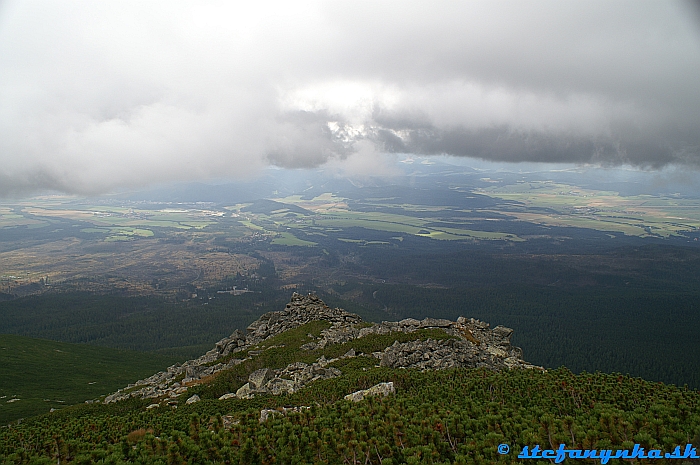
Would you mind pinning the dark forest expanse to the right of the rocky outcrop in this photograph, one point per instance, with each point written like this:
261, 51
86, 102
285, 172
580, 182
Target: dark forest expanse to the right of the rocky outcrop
644, 333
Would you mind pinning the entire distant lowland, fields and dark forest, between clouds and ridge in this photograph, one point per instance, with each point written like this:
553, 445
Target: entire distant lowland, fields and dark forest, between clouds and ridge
586, 275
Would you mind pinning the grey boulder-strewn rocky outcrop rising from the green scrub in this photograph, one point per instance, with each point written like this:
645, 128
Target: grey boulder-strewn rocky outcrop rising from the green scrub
474, 344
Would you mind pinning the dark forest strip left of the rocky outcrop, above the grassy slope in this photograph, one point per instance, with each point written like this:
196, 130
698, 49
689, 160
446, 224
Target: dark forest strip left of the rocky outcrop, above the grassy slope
186, 329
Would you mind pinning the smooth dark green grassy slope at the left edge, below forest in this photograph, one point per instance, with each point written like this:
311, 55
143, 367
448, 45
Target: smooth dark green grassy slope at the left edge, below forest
47, 374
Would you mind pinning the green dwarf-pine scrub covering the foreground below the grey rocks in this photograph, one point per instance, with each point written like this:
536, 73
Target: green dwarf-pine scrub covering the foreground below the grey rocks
452, 416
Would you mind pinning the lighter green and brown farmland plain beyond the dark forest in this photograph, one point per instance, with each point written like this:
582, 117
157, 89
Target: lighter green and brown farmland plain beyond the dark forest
141, 247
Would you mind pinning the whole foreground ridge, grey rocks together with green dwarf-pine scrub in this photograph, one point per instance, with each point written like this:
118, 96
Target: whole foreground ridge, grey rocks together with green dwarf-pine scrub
374, 399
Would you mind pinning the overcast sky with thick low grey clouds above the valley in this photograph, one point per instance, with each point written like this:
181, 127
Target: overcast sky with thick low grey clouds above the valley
97, 96
